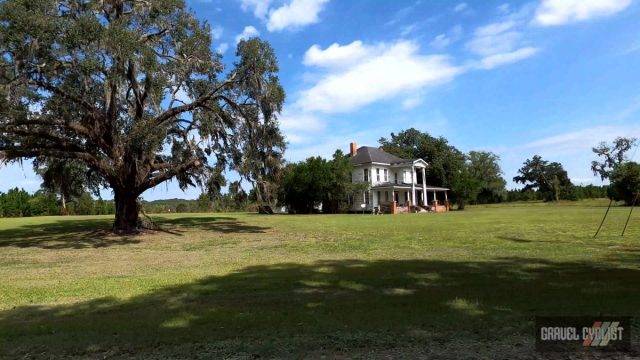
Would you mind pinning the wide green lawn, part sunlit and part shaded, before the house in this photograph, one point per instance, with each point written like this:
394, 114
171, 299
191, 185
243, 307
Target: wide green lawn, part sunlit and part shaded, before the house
455, 285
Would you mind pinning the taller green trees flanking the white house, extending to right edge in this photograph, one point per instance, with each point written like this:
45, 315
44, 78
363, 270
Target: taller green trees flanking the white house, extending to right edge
474, 177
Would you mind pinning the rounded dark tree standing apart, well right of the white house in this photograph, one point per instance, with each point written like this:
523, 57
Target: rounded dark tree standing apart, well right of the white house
549, 178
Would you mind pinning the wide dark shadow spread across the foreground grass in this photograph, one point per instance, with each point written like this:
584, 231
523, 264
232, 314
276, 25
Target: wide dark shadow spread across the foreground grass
385, 308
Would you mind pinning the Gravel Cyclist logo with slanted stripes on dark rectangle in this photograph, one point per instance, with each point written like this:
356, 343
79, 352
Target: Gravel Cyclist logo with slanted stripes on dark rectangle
573, 333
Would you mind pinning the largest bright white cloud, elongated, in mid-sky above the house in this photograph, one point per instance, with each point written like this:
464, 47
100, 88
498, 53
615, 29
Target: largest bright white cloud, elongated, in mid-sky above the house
389, 71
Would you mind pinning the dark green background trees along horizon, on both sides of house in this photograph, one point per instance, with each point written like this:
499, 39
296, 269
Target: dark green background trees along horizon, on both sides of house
317, 184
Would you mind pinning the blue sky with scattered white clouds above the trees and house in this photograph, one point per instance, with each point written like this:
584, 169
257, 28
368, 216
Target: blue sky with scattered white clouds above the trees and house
519, 78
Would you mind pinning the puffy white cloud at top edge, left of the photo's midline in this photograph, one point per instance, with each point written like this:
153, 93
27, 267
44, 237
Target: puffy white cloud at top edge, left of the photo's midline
295, 14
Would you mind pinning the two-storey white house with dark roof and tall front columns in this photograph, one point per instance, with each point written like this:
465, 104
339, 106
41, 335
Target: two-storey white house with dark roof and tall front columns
390, 179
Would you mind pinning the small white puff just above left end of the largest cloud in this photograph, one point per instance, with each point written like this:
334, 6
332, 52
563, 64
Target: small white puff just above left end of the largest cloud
336, 55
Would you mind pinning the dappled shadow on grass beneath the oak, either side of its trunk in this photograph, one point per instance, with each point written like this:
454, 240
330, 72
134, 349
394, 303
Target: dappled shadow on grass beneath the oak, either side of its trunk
74, 233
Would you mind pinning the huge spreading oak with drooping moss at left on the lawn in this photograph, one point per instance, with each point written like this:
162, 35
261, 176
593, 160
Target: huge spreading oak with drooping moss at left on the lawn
132, 89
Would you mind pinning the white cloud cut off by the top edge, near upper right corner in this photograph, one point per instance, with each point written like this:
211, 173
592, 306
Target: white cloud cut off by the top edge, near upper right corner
560, 12
